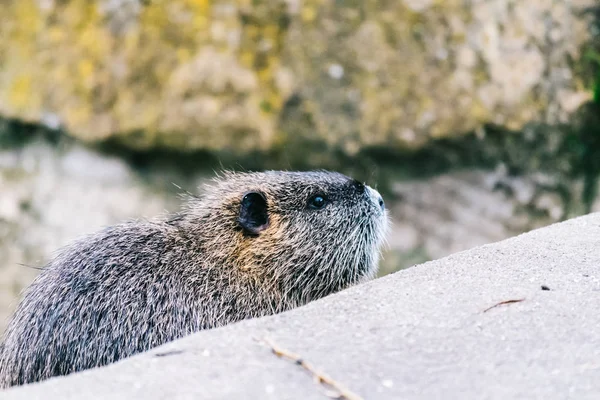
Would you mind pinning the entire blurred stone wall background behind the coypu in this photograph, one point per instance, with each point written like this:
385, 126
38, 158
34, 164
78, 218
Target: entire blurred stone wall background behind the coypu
477, 120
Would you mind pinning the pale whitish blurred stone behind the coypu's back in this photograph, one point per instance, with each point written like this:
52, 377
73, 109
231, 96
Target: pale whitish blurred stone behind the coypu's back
52, 196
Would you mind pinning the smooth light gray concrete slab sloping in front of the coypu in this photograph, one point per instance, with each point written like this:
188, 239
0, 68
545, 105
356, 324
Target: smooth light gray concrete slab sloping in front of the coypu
421, 333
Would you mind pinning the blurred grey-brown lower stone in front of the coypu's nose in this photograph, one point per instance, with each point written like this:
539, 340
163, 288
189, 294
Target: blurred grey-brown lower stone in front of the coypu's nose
457, 211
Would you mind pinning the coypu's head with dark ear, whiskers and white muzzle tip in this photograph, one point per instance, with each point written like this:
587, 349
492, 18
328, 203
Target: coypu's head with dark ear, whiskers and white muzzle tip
304, 234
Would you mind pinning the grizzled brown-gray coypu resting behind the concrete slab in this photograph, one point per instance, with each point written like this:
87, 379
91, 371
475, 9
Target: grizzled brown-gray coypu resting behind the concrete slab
253, 244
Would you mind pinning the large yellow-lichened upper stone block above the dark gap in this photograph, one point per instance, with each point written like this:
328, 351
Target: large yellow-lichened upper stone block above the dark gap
261, 75
